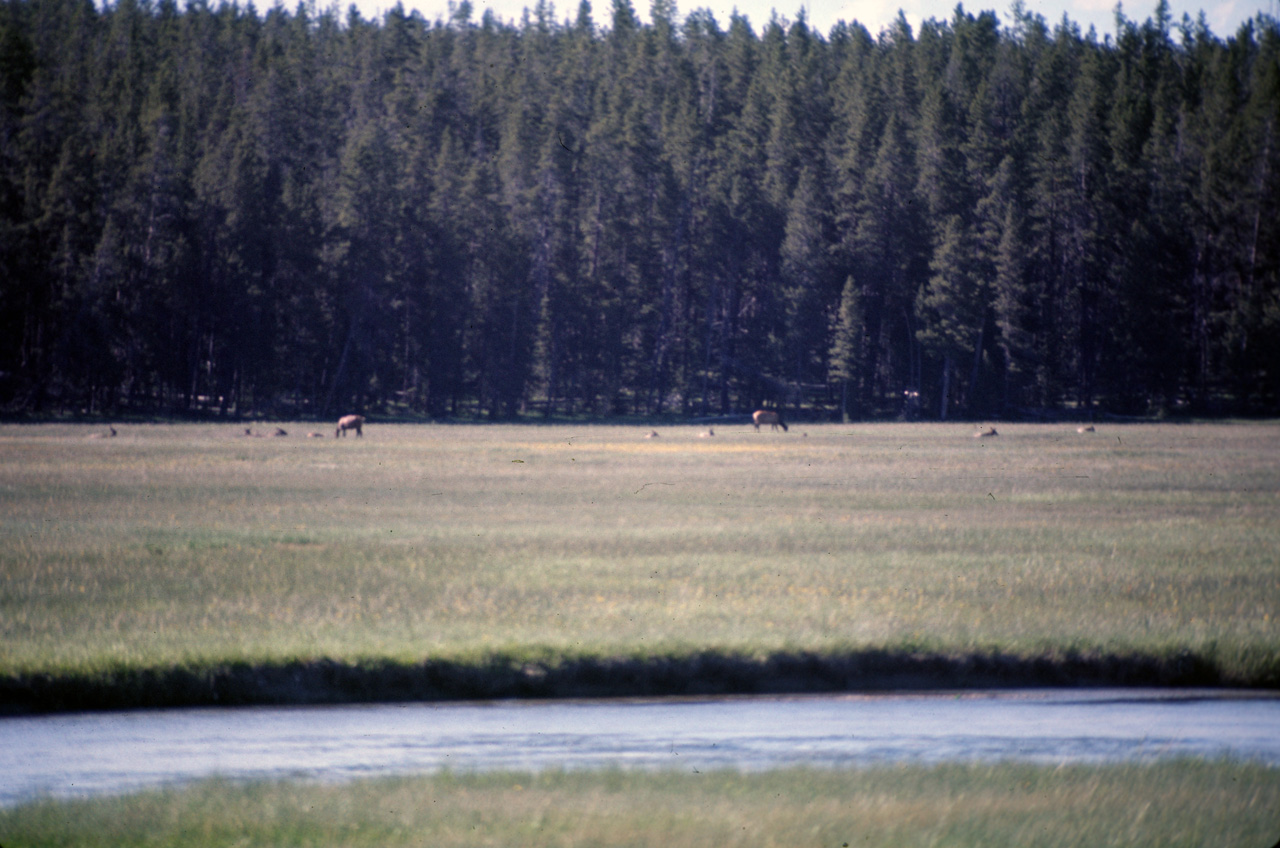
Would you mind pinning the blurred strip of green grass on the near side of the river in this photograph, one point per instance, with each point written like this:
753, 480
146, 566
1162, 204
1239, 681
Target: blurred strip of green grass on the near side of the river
1174, 804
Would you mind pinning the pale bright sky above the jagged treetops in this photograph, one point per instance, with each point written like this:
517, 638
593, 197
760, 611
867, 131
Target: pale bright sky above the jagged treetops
1224, 17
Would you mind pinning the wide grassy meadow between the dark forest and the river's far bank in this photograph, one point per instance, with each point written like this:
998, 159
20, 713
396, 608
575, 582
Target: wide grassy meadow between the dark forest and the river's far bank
191, 545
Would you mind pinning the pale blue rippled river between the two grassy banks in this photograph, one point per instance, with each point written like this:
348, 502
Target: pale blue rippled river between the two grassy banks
81, 755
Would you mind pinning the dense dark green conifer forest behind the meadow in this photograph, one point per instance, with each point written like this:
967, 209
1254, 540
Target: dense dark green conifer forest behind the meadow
221, 211
